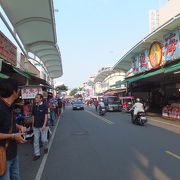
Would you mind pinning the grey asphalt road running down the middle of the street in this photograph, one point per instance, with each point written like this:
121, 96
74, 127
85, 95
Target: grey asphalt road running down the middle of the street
87, 147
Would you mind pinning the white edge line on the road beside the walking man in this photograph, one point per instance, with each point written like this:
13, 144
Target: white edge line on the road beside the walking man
43, 162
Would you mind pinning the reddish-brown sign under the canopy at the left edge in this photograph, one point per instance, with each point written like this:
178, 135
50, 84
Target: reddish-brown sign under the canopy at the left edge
8, 50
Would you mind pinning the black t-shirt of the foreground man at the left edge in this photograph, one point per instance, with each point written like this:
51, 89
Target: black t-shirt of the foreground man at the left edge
5, 124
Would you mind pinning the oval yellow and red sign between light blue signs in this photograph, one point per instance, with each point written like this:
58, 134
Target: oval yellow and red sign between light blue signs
155, 55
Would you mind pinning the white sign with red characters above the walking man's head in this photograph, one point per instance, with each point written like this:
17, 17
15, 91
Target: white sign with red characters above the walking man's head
30, 92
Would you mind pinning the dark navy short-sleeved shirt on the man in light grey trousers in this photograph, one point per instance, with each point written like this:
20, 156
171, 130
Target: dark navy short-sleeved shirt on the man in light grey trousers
39, 112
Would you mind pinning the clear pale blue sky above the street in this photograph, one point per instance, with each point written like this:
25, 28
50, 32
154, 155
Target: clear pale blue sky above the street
96, 33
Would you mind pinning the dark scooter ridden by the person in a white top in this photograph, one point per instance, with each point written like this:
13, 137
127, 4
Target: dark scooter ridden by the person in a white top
140, 118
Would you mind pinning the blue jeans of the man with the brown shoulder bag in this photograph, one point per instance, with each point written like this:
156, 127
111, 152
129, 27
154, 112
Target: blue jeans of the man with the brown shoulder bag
12, 172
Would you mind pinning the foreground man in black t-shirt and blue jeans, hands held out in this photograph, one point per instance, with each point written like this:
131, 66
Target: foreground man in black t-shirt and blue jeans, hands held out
9, 136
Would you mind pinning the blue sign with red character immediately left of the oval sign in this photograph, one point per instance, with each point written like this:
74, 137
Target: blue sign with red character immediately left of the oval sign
140, 62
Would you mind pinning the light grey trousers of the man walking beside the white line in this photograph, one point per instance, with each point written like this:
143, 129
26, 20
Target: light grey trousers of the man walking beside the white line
37, 133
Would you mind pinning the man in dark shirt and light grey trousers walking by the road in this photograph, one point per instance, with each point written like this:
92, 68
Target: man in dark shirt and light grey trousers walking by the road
39, 124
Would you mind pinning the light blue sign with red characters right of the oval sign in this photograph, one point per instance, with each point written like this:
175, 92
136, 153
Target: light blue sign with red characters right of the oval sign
171, 45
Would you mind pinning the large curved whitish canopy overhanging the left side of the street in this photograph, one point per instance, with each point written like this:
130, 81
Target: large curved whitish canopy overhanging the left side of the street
34, 22
